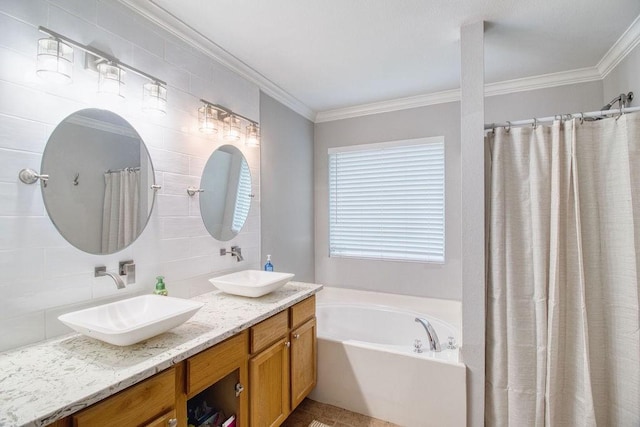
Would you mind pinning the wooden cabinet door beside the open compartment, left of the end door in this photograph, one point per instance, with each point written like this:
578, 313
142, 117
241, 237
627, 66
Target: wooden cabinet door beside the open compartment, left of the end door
269, 385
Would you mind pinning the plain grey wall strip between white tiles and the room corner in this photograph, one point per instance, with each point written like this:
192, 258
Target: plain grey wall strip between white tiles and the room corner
287, 189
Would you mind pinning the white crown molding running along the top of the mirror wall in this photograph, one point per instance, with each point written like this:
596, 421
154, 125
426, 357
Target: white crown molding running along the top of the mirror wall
176, 27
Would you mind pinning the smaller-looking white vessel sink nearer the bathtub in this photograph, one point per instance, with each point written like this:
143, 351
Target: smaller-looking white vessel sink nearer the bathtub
251, 283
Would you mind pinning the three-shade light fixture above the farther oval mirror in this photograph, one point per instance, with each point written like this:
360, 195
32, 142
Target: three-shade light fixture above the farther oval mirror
211, 116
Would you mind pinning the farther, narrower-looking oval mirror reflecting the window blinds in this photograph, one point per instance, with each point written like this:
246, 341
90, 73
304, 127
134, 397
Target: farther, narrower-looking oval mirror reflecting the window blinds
226, 199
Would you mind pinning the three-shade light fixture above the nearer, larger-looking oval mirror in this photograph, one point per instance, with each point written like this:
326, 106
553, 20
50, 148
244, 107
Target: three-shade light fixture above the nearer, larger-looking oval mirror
55, 61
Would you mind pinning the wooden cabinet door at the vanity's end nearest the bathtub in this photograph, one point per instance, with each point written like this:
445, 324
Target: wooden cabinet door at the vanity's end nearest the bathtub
303, 361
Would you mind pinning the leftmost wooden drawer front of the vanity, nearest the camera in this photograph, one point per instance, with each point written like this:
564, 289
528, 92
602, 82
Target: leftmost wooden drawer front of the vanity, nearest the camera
137, 405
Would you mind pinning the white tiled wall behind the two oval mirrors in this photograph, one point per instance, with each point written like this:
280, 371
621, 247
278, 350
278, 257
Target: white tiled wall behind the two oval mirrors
41, 275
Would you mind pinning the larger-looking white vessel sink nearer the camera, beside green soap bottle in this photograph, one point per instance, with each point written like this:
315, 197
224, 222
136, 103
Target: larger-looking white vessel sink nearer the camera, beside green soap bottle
131, 320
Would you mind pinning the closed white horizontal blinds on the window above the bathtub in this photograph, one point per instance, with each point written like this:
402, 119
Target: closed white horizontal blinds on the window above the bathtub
386, 201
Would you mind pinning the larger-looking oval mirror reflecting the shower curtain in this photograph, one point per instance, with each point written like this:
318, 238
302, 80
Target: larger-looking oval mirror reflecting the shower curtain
98, 194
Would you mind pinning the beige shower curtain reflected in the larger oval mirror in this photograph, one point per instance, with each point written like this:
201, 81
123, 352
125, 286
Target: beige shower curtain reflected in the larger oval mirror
120, 209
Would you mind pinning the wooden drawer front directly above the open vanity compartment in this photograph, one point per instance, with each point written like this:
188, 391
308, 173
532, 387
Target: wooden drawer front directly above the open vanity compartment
211, 365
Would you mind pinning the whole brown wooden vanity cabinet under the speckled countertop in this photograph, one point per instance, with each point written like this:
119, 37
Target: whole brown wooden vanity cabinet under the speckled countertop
260, 375
